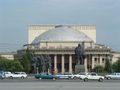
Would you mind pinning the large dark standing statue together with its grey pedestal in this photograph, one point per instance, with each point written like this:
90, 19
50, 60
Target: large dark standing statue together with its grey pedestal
79, 51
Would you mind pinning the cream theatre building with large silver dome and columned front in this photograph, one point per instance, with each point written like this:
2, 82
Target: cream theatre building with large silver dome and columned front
60, 41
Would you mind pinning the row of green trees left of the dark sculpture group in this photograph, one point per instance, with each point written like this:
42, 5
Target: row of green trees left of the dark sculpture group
23, 64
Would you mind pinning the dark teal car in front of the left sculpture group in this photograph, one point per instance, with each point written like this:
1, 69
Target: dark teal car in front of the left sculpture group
45, 76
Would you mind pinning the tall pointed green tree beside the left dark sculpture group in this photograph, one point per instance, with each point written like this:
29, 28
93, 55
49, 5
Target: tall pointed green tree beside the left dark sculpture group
25, 61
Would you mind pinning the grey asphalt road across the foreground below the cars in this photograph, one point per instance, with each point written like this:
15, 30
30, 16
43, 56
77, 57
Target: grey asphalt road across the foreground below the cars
33, 84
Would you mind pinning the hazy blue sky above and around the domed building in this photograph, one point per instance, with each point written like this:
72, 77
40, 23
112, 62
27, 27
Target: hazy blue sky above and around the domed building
15, 15
